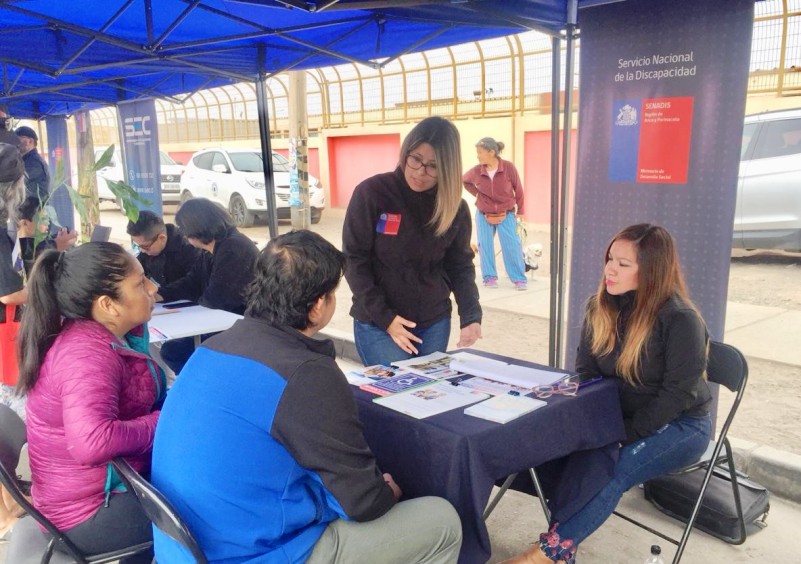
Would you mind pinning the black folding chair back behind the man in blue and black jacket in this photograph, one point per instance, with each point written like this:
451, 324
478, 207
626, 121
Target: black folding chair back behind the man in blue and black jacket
160, 512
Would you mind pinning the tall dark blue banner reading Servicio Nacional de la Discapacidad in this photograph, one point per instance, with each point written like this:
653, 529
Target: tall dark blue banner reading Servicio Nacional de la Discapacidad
663, 86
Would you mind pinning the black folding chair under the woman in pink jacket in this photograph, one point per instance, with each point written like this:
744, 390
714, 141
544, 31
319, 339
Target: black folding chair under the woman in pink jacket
28, 544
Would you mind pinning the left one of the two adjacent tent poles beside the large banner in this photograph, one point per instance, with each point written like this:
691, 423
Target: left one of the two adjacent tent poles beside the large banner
555, 75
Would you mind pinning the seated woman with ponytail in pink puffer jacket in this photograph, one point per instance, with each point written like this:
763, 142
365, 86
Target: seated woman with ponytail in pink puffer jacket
93, 391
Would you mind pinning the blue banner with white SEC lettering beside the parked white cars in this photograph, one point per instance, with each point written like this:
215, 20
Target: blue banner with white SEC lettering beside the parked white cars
140, 144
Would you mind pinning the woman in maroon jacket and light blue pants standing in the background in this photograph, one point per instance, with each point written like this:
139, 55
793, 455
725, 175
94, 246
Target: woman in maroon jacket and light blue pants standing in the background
499, 202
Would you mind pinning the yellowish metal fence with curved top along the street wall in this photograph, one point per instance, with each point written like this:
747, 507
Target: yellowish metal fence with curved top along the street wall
506, 76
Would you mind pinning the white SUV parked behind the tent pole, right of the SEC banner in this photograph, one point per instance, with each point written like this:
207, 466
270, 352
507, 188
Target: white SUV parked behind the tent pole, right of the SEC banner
234, 179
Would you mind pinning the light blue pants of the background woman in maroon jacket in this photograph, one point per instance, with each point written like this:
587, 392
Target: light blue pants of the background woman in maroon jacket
511, 248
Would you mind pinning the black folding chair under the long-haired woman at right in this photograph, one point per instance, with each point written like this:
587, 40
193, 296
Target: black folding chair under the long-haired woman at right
727, 366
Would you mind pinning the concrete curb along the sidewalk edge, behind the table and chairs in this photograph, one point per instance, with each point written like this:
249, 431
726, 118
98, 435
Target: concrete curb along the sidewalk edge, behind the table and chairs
778, 471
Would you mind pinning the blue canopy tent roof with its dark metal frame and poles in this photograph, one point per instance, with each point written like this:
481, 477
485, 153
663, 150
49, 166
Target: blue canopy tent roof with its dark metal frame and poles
57, 58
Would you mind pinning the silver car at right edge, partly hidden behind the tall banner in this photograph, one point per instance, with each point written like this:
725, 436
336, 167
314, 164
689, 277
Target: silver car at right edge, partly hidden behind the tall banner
768, 212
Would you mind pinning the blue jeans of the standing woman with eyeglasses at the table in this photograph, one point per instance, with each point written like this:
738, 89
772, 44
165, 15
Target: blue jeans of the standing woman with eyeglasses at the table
375, 346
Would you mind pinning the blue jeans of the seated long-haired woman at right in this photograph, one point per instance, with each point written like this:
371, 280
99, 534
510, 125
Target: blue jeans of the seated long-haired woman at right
674, 446
